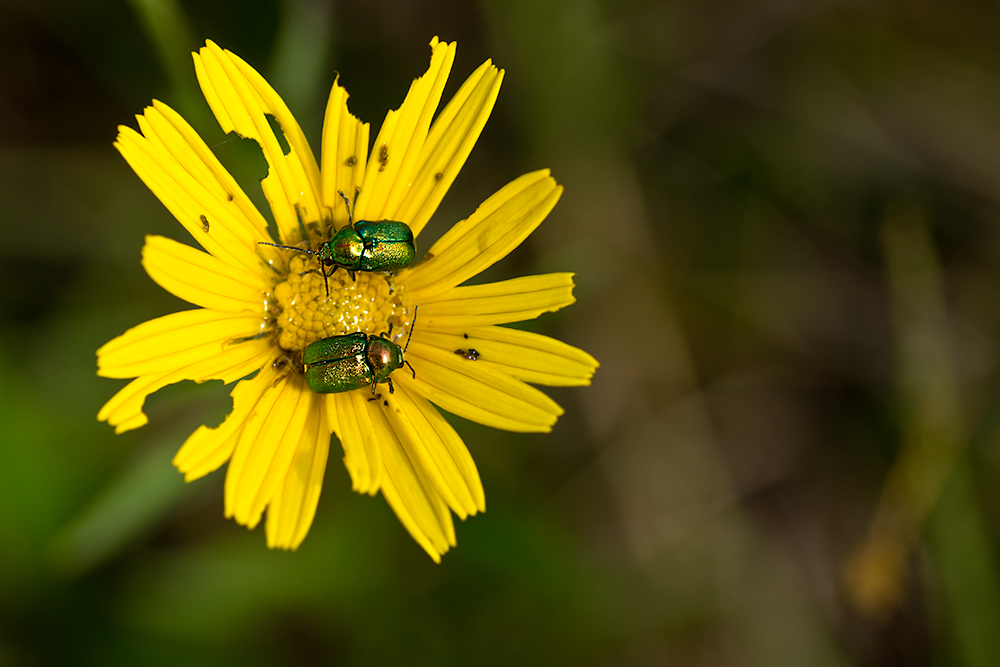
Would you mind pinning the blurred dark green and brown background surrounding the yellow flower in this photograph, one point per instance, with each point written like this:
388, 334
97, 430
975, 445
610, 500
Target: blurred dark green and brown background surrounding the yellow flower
785, 221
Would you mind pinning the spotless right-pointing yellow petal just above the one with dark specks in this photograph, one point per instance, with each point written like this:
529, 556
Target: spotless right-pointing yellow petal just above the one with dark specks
512, 300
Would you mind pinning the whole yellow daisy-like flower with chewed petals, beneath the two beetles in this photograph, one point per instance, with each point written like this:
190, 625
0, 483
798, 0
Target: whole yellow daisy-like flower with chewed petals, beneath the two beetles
260, 306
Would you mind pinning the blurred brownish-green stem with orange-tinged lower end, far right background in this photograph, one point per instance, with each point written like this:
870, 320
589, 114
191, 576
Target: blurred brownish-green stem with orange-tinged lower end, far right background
929, 414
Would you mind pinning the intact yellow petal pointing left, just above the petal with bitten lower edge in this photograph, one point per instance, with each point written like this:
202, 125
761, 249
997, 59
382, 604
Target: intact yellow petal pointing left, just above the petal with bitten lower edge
175, 341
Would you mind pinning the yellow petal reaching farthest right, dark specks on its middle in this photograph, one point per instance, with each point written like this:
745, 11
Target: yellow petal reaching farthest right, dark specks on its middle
524, 355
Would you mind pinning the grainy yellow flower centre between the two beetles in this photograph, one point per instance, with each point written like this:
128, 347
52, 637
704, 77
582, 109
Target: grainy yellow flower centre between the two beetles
308, 314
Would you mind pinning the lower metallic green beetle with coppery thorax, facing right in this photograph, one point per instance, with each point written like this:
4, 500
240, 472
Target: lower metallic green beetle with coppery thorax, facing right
343, 363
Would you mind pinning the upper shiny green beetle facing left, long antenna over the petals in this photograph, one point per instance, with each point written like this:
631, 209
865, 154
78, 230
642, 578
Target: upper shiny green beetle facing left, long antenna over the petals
366, 245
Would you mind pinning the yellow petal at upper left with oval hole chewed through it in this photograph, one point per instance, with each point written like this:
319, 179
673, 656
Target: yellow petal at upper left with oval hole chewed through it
240, 98
